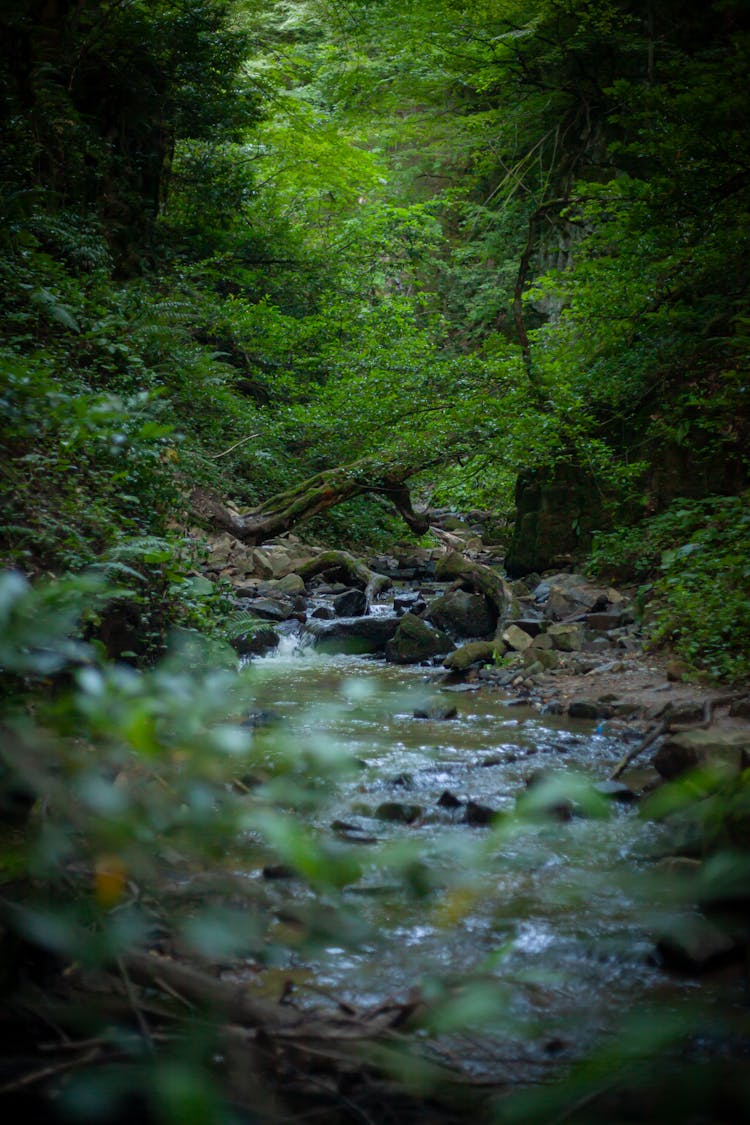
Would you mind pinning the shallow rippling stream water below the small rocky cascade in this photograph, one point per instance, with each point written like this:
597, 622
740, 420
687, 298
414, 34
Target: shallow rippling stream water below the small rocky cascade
540, 932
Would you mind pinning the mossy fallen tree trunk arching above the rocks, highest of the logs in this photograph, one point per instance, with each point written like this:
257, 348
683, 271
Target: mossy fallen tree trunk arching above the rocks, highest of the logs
317, 496
